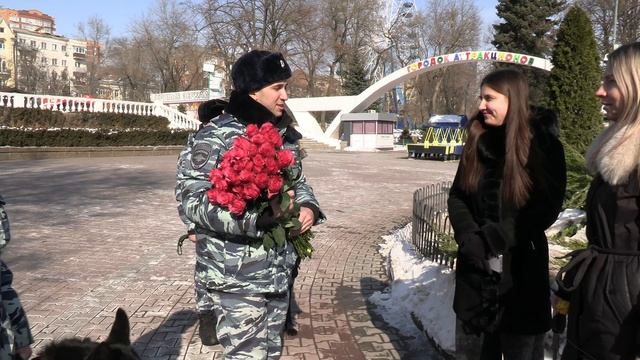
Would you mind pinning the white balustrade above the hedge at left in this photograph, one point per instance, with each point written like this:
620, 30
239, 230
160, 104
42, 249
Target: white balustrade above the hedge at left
177, 120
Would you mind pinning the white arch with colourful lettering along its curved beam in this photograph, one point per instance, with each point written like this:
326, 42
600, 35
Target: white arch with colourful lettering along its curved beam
309, 127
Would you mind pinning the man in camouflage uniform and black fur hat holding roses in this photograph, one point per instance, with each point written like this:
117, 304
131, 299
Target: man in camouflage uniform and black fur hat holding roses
249, 284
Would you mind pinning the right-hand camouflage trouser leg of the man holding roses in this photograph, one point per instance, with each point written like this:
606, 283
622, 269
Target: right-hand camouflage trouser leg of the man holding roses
277, 305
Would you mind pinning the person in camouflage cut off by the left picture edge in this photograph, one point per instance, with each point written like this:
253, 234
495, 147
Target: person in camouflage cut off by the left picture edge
15, 334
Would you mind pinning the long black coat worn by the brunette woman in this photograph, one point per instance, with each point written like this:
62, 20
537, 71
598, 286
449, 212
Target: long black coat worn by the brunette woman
522, 293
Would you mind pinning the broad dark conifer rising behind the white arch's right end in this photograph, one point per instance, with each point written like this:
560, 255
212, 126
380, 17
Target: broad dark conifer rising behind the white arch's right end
527, 28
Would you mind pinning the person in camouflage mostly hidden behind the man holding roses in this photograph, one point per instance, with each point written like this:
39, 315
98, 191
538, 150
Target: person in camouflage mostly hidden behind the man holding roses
207, 111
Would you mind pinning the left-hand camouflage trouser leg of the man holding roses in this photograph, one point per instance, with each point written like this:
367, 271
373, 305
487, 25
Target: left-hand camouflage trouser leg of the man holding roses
242, 325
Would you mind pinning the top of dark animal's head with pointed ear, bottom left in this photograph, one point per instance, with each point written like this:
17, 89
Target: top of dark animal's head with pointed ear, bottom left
116, 347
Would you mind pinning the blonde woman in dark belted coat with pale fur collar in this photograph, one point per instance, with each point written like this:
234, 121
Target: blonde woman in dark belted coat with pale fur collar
603, 281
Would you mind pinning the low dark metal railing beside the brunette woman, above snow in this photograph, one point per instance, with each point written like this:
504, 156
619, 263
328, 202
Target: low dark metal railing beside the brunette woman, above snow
431, 231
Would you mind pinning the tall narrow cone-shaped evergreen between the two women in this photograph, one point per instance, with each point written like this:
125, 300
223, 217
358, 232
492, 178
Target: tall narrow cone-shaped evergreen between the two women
574, 79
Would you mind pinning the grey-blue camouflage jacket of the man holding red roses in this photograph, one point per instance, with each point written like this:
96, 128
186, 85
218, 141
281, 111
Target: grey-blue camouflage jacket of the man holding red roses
225, 257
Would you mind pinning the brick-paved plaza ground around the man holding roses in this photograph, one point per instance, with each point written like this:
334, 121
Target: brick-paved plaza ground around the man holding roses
94, 234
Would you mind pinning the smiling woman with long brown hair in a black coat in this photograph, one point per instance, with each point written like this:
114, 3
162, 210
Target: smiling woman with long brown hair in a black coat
508, 189
